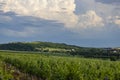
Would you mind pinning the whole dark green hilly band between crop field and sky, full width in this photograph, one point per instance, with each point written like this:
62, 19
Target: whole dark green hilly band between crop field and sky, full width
62, 48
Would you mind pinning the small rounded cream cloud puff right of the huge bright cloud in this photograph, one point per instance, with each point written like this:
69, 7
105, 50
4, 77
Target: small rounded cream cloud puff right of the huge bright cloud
90, 19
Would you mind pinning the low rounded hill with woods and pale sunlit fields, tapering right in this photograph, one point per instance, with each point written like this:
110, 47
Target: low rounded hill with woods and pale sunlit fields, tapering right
38, 46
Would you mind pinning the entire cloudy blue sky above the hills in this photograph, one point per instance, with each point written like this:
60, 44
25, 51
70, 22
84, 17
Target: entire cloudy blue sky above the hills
86, 23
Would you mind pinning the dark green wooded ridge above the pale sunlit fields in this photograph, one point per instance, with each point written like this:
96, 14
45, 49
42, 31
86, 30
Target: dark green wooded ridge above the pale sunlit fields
32, 46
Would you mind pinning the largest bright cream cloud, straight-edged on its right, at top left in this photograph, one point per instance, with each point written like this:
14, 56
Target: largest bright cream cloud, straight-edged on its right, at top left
60, 10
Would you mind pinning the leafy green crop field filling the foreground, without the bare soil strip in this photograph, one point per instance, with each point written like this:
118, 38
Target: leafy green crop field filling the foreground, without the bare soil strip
48, 67
